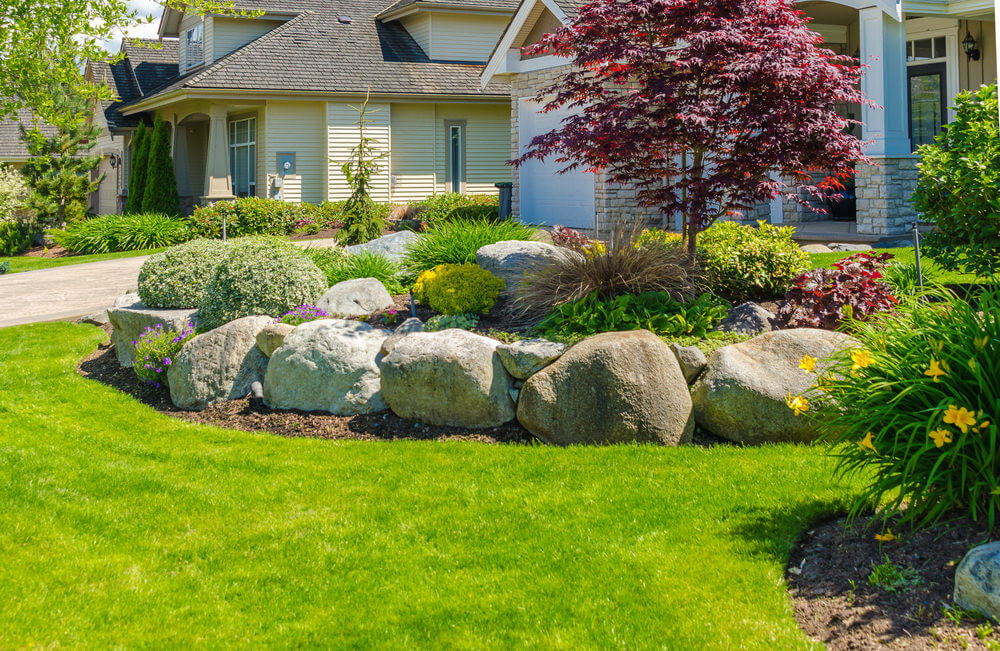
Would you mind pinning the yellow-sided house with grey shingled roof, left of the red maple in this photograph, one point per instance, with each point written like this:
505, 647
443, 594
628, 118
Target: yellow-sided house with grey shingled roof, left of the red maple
267, 106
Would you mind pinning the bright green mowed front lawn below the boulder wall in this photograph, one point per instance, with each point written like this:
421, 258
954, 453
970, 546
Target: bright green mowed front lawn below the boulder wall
121, 526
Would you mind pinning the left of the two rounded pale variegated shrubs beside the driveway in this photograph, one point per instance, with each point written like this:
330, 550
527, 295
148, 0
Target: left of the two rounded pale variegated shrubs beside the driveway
176, 278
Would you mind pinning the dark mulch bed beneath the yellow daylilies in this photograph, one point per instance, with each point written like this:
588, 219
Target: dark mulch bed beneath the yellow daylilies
835, 603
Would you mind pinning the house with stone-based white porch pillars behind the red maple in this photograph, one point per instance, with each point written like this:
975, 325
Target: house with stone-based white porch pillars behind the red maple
921, 53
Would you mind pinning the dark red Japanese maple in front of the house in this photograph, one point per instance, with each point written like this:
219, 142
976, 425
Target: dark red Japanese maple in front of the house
703, 105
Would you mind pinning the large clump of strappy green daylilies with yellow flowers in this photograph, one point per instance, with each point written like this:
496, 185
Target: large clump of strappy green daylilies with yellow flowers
913, 409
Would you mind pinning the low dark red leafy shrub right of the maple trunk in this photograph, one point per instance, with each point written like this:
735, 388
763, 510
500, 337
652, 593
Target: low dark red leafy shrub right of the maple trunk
823, 298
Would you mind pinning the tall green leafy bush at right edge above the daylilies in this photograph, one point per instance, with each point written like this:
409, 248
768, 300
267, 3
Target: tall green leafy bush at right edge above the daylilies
959, 186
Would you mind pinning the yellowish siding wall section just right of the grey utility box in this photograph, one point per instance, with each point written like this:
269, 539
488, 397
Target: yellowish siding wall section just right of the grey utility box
299, 128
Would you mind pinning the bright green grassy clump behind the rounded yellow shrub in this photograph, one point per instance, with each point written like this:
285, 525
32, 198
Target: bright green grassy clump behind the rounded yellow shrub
456, 242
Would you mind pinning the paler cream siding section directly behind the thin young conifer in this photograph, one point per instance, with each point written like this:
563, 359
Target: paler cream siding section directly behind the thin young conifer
342, 136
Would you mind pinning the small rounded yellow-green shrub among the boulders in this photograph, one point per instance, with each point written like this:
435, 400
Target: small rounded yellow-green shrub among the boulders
458, 289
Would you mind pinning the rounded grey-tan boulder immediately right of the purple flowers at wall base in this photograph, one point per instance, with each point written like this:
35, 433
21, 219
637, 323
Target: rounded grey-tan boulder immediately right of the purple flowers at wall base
218, 365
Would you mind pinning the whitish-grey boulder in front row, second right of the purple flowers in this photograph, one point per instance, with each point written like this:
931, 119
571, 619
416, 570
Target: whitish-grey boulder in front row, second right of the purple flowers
327, 365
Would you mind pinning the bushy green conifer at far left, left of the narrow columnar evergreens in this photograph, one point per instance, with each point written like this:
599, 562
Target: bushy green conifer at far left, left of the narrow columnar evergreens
59, 170
